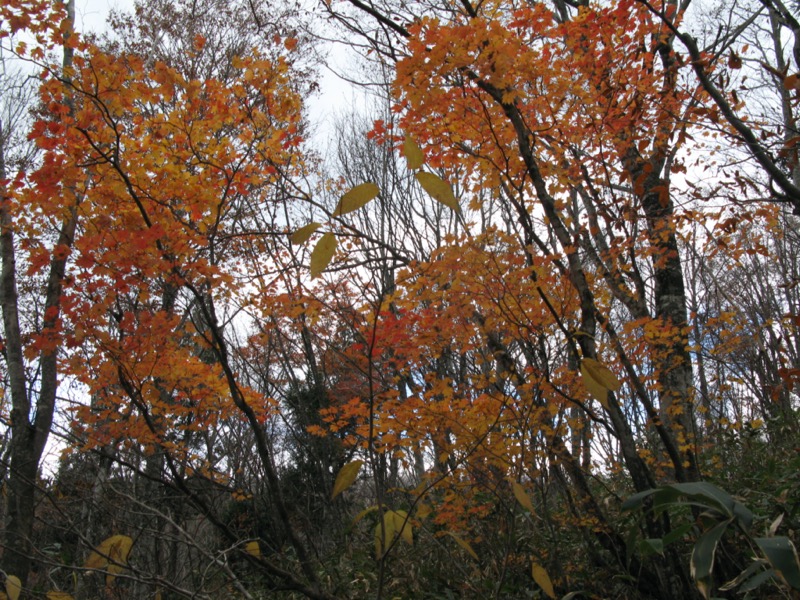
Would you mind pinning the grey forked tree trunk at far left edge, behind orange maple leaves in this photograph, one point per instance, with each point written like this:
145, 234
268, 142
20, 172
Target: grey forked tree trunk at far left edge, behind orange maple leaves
31, 353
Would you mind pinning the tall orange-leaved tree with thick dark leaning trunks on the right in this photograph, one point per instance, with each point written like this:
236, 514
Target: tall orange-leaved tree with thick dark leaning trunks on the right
580, 115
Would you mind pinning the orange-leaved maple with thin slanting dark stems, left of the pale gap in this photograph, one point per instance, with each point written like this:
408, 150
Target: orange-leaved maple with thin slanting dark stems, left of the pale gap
169, 173
